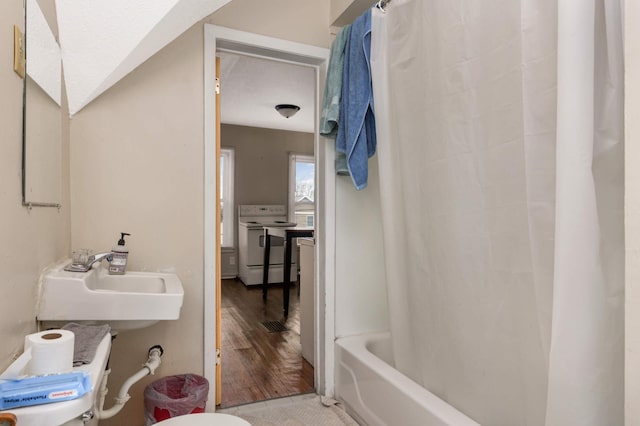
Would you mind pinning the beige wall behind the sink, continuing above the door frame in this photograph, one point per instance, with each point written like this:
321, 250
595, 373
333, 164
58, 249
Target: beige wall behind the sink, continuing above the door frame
137, 166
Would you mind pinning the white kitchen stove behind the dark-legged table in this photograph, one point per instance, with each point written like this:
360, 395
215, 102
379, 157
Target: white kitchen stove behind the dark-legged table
252, 218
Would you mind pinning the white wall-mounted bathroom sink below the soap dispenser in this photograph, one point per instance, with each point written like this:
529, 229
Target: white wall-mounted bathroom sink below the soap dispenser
130, 301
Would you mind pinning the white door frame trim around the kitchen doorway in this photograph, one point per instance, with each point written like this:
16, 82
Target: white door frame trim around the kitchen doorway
217, 38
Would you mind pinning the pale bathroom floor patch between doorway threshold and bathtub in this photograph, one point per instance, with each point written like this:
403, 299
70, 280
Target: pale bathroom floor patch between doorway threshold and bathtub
307, 410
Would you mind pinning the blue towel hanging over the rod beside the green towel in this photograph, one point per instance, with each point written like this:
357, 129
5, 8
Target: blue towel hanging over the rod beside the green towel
356, 126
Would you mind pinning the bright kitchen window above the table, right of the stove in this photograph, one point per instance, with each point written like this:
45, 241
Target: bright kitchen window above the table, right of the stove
301, 189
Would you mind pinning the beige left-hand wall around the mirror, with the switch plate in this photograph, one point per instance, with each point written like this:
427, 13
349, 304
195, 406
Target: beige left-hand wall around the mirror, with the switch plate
32, 239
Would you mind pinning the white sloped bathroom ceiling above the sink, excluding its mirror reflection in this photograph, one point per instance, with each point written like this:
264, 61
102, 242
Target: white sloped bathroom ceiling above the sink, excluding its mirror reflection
103, 40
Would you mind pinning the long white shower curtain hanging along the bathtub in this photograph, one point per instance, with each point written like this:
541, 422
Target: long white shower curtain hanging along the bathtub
500, 152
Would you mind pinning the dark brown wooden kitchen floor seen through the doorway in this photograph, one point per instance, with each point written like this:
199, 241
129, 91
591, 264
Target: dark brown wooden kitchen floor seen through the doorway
257, 364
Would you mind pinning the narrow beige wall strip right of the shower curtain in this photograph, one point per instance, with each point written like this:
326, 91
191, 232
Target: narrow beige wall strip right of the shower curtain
632, 214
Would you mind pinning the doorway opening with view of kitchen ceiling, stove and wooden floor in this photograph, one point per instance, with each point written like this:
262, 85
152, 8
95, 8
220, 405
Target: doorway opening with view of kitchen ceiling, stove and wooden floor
274, 164
